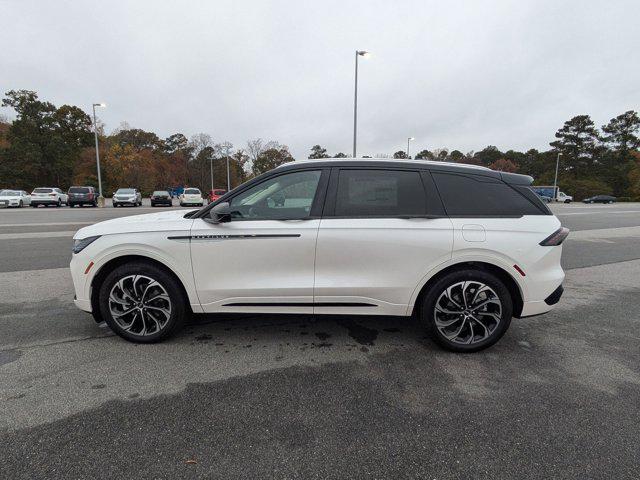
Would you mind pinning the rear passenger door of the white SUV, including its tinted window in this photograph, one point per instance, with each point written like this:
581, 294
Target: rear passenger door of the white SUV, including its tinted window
382, 230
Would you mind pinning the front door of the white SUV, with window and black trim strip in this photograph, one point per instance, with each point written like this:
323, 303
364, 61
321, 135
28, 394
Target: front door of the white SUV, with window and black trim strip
263, 259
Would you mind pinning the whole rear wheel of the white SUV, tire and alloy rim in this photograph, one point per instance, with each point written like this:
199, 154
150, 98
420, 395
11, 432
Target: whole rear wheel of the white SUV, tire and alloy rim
467, 310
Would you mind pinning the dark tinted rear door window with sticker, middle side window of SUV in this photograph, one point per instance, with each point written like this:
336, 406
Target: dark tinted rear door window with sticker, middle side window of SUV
379, 193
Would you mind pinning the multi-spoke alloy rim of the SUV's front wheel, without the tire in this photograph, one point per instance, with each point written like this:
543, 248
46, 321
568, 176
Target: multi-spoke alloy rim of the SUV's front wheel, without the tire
139, 305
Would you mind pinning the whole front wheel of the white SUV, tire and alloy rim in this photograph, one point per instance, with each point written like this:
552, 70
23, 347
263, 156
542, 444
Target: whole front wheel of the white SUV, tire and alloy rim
142, 303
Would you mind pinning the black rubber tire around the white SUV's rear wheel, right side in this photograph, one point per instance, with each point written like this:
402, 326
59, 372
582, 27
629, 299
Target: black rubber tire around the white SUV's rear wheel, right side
498, 330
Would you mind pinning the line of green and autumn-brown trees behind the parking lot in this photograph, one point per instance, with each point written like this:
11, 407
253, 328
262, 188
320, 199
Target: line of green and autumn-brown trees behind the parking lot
53, 146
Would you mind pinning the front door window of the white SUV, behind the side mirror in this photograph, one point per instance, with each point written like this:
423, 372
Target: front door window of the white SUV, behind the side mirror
285, 197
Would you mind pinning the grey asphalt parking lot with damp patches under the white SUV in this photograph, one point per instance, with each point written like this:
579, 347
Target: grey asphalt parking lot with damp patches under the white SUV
303, 397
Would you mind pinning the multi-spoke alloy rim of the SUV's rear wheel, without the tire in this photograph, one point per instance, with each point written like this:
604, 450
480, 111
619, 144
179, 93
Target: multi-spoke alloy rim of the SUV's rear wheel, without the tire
467, 312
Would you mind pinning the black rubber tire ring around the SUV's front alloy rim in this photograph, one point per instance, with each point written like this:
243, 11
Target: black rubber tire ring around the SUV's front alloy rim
167, 281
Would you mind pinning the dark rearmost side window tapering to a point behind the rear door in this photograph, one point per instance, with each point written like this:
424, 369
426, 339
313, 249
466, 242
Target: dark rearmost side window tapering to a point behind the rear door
478, 196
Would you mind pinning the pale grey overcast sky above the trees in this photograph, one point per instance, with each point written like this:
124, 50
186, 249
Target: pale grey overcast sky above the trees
456, 74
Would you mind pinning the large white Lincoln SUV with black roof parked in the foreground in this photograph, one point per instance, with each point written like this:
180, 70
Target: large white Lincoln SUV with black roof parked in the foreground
464, 248
